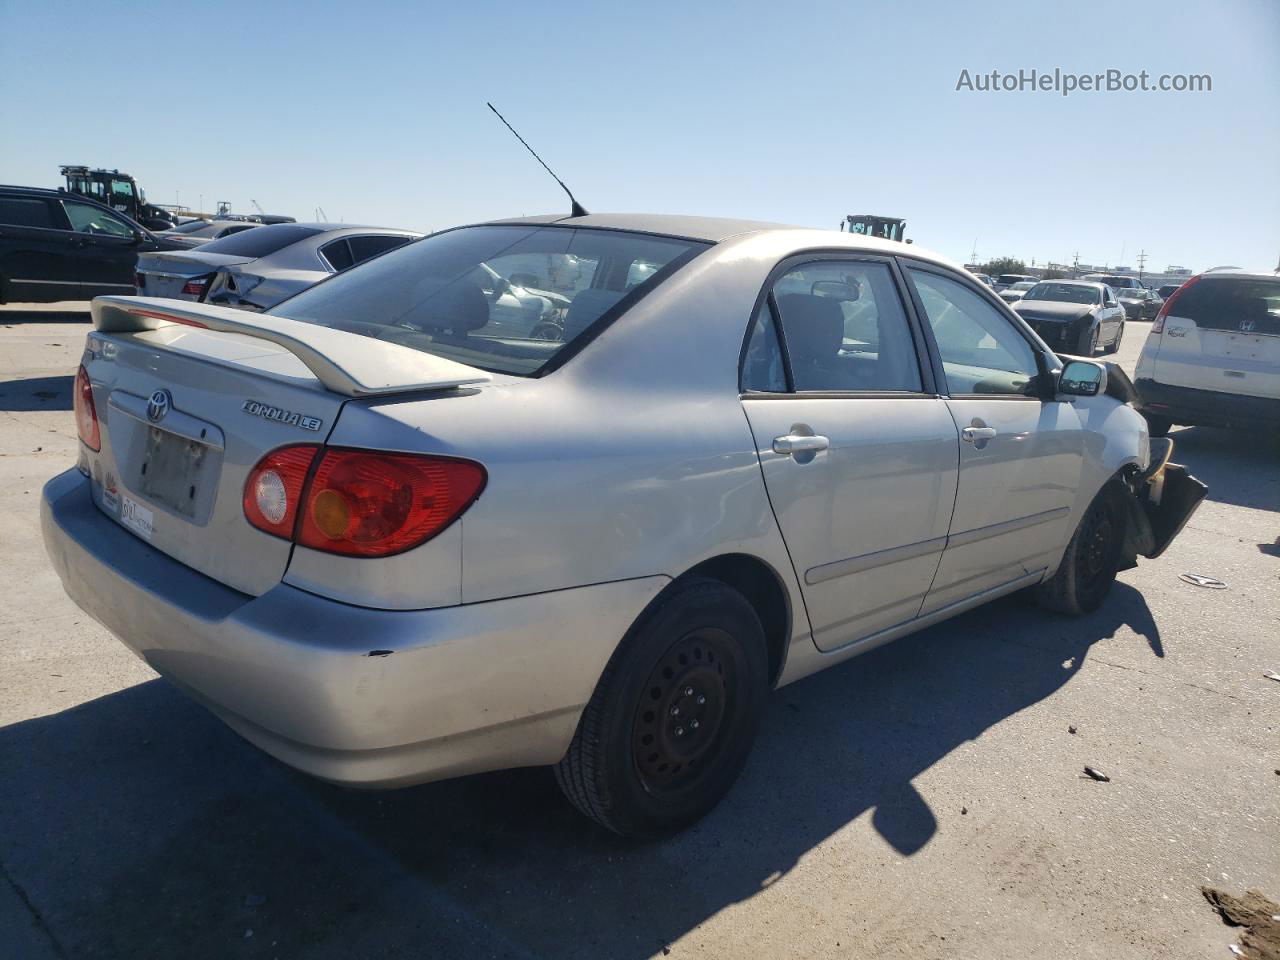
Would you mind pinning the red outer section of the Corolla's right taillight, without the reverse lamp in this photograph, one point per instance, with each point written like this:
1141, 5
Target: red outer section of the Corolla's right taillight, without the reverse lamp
373, 505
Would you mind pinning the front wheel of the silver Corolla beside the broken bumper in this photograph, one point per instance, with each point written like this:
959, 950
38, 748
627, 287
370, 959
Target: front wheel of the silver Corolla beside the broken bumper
1091, 563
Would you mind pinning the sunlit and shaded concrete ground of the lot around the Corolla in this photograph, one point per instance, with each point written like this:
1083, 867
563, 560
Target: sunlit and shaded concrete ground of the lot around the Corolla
926, 801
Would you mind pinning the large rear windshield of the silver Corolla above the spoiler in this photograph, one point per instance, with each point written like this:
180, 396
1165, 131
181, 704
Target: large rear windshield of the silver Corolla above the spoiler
501, 298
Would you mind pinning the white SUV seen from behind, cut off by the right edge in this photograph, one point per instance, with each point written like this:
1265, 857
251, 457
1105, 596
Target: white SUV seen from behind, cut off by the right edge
1213, 356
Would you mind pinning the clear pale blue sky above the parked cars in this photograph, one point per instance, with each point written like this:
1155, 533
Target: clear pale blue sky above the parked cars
796, 112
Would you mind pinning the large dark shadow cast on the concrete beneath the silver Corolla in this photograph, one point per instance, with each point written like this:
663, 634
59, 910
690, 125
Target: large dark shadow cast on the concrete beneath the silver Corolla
139, 826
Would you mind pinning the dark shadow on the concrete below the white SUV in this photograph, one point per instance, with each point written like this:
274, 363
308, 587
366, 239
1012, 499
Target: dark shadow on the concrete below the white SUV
1240, 467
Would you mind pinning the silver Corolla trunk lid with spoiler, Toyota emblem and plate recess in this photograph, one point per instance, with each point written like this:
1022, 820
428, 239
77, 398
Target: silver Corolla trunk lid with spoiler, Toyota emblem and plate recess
189, 401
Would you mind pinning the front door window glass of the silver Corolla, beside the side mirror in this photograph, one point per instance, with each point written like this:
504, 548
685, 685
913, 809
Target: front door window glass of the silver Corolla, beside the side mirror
981, 351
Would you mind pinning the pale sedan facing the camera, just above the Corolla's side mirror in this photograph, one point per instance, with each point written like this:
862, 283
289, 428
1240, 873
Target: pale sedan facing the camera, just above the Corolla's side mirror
1075, 316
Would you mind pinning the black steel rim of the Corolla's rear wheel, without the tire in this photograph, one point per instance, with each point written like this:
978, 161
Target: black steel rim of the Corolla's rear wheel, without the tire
680, 723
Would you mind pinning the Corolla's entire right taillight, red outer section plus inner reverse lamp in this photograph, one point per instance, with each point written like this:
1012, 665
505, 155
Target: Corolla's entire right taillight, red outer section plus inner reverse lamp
359, 504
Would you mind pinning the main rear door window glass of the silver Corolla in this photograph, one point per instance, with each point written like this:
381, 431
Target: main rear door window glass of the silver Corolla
845, 328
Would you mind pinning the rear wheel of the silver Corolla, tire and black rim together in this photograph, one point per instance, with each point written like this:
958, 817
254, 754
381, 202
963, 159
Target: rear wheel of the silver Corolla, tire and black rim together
641, 770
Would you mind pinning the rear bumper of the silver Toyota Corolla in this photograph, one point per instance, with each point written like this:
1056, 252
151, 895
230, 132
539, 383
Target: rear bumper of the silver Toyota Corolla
349, 694
